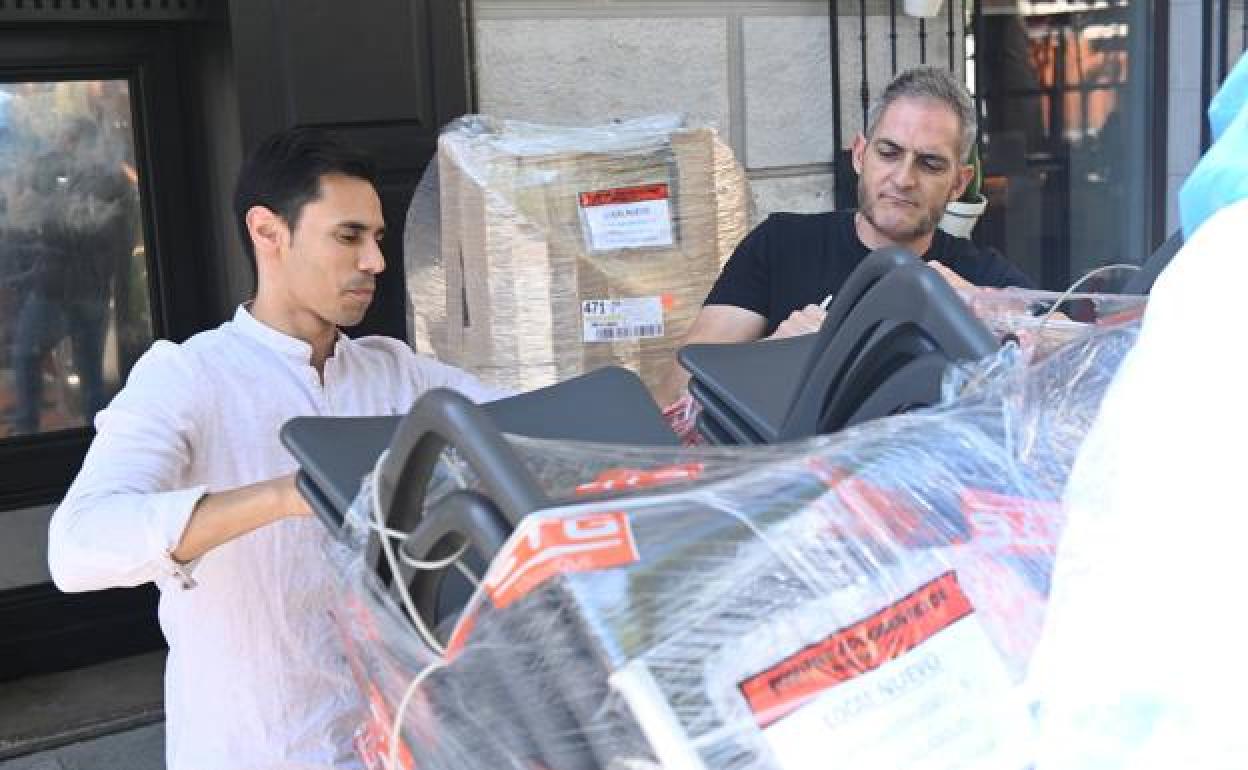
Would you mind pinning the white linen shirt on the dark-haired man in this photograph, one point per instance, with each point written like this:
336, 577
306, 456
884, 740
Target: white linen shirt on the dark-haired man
255, 677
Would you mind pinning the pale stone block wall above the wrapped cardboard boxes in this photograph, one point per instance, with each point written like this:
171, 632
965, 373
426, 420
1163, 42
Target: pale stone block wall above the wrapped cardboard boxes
757, 71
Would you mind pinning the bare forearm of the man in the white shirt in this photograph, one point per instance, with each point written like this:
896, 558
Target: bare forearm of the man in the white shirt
222, 517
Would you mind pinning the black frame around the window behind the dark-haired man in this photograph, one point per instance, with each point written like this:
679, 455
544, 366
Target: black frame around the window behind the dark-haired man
39, 469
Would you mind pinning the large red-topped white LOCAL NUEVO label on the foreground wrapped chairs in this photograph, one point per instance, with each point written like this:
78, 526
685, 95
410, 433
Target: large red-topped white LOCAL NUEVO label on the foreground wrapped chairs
915, 686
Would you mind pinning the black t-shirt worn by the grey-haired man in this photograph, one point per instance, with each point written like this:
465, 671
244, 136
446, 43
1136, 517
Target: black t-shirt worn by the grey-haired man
794, 260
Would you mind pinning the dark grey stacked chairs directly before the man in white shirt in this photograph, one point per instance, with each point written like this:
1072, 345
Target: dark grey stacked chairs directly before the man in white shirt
335, 454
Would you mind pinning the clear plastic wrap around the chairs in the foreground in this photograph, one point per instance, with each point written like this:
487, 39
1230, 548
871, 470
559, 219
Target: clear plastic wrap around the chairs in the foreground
872, 596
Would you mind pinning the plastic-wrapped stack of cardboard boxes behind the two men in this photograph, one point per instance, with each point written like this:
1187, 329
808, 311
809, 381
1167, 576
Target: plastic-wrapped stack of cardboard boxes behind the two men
535, 254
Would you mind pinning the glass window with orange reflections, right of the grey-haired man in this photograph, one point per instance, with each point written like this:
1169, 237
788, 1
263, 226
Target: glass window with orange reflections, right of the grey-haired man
1069, 137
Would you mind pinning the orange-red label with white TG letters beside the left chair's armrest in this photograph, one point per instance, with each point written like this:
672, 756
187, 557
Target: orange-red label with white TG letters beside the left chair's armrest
544, 548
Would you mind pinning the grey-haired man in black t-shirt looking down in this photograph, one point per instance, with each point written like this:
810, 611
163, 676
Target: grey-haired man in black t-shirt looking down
912, 163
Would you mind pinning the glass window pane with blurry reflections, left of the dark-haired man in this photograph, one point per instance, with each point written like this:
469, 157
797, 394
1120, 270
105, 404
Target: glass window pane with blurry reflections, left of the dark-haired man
74, 304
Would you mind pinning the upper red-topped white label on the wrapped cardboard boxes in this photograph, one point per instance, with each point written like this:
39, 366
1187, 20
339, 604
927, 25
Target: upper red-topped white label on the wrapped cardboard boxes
627, 218
